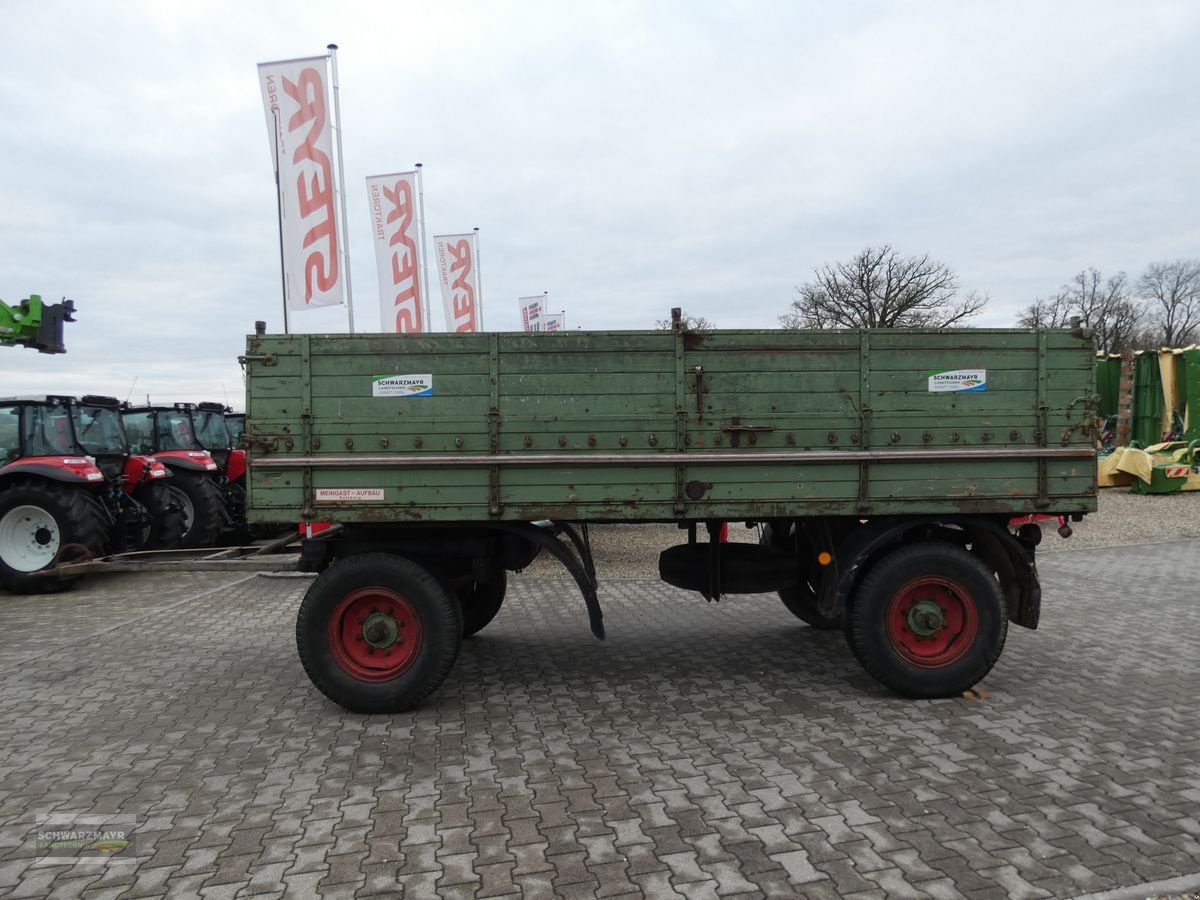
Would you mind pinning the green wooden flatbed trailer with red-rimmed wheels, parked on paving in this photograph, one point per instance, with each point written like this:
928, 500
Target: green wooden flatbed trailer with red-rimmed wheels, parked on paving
885, 467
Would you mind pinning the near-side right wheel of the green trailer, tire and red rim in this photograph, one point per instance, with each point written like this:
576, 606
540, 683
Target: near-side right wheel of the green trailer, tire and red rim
928, 621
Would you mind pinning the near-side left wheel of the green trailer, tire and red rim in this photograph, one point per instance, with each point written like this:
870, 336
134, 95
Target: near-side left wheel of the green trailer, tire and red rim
377, 633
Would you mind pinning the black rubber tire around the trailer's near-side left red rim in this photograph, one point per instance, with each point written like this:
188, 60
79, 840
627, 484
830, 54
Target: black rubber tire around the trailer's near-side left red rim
441, 626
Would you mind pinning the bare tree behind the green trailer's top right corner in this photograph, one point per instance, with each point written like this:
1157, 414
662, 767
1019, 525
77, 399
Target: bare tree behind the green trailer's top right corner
1106, 305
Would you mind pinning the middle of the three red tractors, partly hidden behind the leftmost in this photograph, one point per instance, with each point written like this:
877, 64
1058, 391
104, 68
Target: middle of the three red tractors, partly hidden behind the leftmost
167, 435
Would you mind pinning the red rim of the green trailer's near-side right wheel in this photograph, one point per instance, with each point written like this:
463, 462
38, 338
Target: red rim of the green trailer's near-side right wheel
933, 622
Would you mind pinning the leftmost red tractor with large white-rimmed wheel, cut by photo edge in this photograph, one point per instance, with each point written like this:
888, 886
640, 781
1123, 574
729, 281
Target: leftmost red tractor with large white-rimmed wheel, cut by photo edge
69, 488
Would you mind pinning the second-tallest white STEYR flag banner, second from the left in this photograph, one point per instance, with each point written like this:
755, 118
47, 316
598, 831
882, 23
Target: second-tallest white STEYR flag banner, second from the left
395, 232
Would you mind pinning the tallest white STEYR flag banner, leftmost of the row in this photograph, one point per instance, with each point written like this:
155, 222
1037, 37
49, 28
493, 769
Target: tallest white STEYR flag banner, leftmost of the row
298, 123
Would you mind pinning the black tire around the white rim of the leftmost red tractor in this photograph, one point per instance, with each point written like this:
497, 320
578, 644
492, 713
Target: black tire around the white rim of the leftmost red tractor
79, 519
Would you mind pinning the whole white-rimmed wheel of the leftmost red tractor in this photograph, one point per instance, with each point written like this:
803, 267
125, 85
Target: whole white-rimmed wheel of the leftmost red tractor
43, 524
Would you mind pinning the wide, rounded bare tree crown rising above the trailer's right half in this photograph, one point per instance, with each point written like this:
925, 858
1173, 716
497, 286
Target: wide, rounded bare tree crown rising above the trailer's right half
879, 289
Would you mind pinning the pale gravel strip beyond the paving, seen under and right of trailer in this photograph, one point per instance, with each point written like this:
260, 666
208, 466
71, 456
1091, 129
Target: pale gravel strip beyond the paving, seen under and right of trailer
632, 551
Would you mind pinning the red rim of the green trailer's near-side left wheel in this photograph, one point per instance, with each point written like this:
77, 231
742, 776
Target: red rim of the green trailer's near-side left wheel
375, 634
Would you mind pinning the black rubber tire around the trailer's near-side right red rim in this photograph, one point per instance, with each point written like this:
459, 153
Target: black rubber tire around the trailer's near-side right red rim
867, 629
